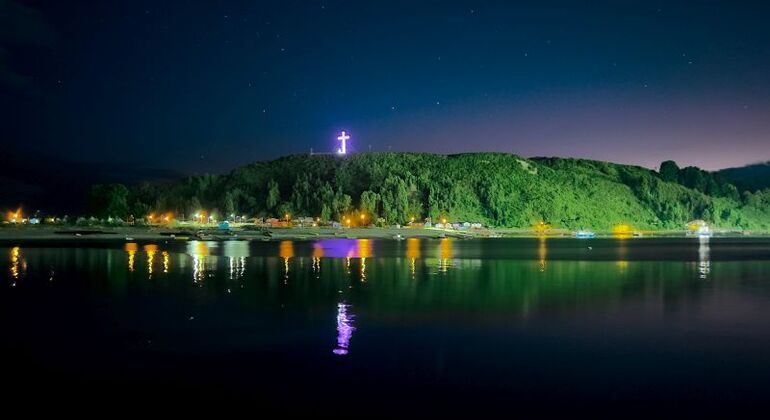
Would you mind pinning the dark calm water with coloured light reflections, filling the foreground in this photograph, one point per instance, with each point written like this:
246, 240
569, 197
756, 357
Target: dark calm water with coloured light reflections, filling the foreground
360, 327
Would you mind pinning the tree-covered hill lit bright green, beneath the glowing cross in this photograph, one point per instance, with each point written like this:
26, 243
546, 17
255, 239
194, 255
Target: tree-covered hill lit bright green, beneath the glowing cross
494, 188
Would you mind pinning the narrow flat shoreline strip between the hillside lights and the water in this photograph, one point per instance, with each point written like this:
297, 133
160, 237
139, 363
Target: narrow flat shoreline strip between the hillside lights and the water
153, 233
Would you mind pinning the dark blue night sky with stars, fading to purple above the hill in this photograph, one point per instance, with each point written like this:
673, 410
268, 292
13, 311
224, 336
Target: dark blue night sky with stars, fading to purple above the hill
199, 86
